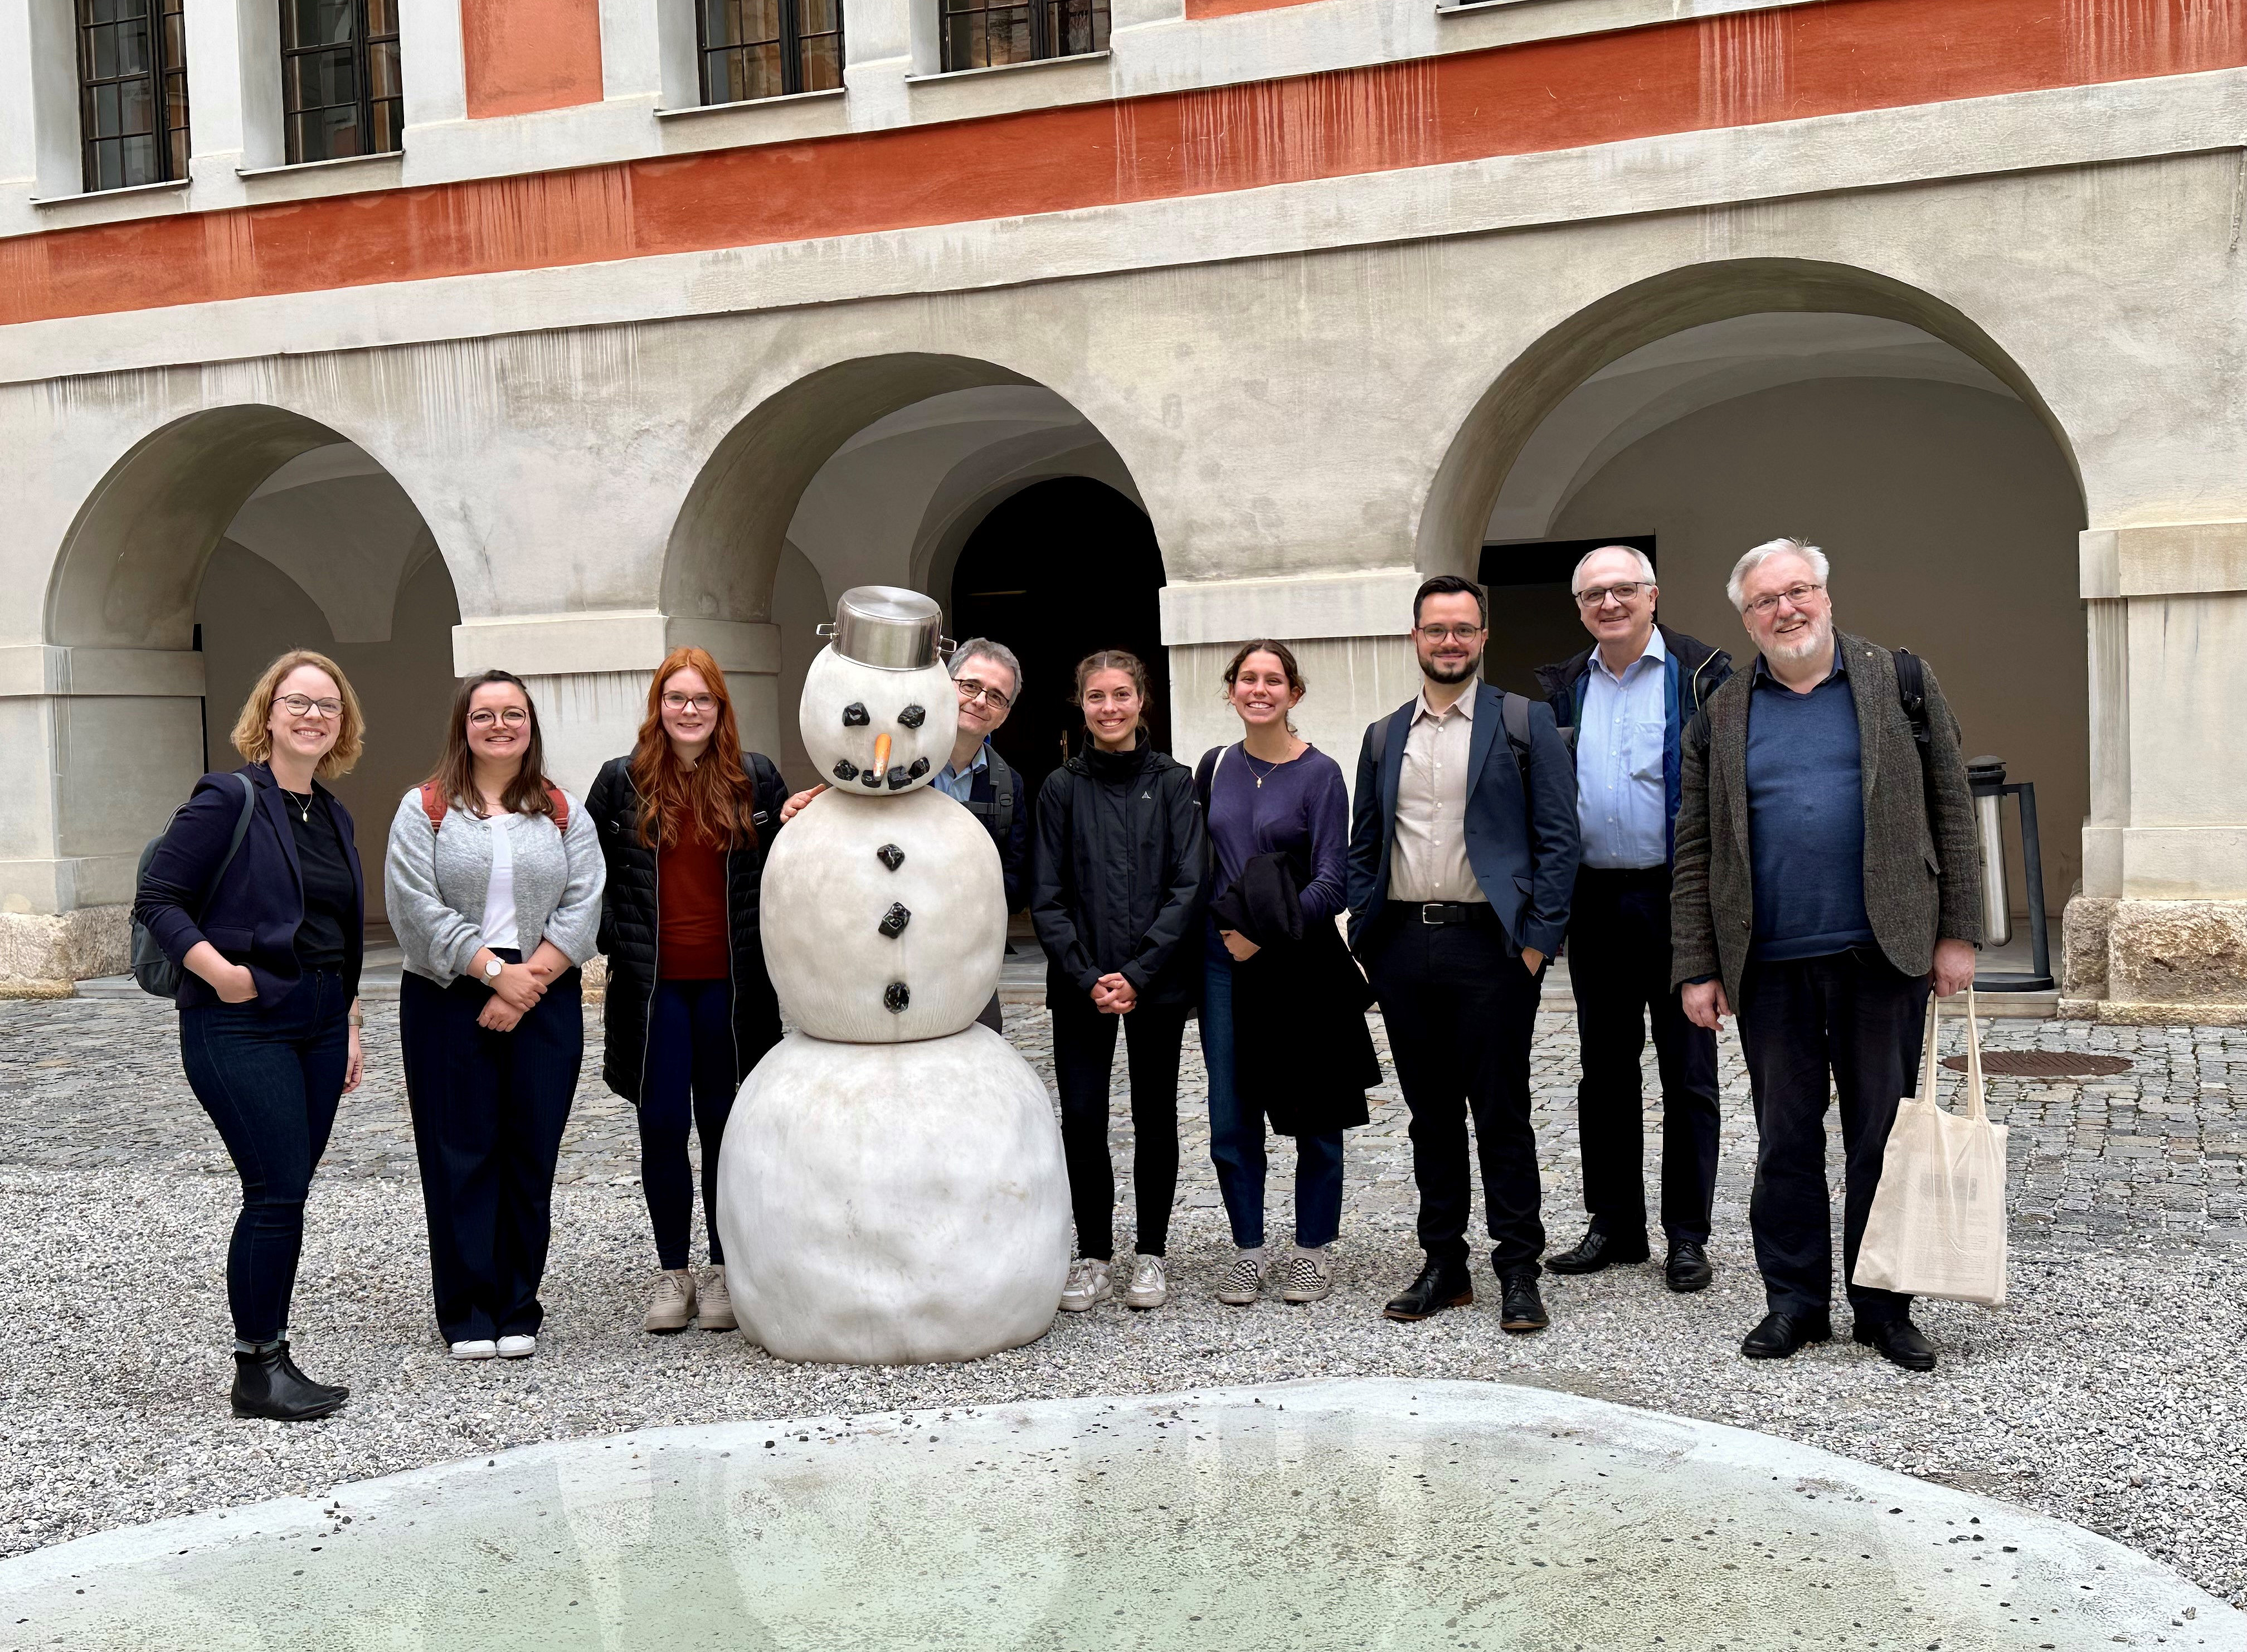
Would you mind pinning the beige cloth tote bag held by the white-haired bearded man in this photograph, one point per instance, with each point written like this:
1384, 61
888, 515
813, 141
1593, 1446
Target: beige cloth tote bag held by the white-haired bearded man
1938, 1217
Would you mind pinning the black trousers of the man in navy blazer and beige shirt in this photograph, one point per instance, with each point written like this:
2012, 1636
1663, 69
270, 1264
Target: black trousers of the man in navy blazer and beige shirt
1462, 1013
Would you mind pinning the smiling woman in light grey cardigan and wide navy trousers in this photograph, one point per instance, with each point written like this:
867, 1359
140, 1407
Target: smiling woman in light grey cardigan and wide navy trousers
493, 887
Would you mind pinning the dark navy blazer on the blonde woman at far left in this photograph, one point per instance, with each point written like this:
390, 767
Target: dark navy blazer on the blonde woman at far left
257, 907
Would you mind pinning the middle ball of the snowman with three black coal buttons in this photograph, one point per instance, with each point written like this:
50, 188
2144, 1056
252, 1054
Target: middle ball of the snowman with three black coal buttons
833, 941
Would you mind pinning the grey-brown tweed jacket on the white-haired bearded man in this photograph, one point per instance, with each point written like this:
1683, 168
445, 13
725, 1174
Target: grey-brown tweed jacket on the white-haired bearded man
1922, 864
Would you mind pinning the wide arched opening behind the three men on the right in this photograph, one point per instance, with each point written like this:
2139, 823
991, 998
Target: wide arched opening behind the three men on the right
1725, 406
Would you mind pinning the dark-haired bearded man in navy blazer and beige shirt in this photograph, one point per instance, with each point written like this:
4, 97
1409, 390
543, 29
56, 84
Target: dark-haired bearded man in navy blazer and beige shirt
1464, 848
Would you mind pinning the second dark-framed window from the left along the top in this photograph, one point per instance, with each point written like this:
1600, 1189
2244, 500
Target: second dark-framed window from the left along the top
340, 80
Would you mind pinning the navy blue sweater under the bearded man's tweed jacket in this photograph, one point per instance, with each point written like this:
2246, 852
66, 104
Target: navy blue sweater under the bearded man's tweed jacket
1805, 819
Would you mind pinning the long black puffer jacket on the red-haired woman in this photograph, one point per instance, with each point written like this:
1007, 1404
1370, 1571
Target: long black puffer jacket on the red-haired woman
628, 927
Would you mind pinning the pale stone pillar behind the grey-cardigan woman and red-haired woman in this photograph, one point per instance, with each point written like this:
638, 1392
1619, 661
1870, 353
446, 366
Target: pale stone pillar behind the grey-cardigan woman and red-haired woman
590, 675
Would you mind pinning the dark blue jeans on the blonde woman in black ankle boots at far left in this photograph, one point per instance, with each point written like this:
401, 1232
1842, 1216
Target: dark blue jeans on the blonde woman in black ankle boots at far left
271, 1080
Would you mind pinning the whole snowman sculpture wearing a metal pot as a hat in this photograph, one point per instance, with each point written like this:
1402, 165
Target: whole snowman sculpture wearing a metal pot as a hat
891, 1186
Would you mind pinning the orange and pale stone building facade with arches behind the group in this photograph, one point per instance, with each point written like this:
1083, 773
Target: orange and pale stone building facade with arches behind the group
552, 334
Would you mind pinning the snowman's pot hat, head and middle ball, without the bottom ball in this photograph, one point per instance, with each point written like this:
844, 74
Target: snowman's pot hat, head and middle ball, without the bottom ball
884, 909
